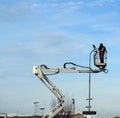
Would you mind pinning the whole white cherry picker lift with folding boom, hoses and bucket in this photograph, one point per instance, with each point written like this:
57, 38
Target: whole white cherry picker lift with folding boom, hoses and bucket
42, 72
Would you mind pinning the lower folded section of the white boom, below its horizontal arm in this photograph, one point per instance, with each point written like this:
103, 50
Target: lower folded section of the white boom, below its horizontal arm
39, 73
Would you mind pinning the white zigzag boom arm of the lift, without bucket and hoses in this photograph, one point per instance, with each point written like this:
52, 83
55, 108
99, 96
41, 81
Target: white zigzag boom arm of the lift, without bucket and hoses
40, 73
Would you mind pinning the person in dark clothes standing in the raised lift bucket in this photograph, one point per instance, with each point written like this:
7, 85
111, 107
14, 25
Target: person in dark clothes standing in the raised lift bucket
102, 50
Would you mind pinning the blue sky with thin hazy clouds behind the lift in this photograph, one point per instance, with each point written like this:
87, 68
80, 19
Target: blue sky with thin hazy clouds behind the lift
35, 32
